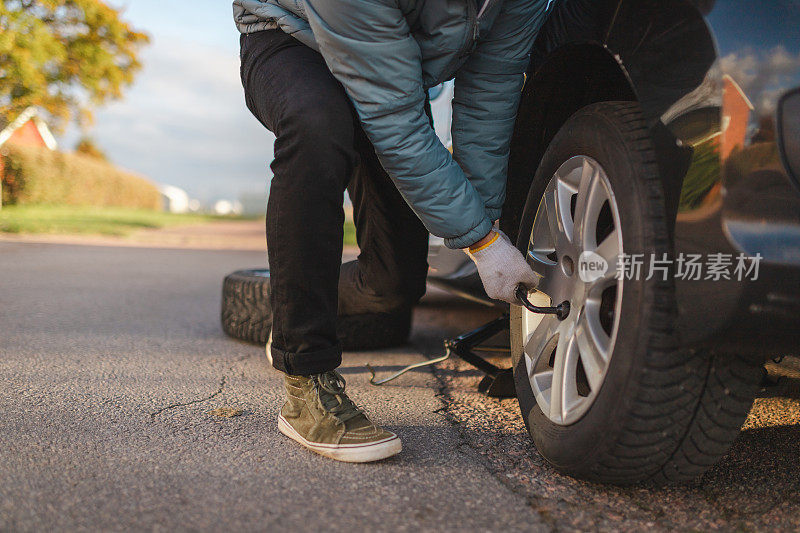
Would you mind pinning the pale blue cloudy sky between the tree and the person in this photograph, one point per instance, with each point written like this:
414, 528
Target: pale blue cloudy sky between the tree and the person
184, 121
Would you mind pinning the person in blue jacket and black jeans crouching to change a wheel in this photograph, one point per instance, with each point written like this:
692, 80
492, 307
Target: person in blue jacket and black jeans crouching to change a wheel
341, 84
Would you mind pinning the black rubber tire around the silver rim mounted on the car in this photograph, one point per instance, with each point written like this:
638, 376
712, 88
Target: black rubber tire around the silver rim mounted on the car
661, 414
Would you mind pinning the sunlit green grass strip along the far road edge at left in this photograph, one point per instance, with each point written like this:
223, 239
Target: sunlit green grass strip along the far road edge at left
91, 220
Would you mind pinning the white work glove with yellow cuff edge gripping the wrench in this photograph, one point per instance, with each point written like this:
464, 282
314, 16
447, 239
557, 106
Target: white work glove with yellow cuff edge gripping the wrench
502, 268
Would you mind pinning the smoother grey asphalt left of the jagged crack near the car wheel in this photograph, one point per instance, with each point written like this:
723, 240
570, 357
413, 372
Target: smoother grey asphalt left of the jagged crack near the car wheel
110, 360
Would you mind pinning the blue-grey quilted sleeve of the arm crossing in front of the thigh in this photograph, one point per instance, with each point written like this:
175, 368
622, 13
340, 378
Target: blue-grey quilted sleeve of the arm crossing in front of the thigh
368, 47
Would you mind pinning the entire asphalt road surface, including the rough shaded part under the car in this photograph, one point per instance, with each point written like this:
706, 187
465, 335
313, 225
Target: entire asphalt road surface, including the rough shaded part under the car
111, 359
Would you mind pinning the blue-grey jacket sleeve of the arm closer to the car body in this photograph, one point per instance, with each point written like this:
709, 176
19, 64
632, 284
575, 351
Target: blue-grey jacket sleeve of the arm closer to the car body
487, 95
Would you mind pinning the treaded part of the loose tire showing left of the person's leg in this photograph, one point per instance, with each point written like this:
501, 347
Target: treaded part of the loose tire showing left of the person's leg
246, 313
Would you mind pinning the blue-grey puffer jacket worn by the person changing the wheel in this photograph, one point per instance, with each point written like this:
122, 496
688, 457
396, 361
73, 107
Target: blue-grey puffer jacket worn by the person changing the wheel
386, 53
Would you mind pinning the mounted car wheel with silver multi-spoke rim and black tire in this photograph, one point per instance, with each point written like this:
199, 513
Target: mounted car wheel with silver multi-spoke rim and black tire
605, 394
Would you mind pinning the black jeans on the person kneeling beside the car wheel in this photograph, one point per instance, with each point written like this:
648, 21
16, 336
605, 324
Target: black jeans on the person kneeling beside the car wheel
321, 150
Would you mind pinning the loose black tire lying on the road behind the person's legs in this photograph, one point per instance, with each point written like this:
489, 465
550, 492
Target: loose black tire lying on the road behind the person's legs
247, 315
